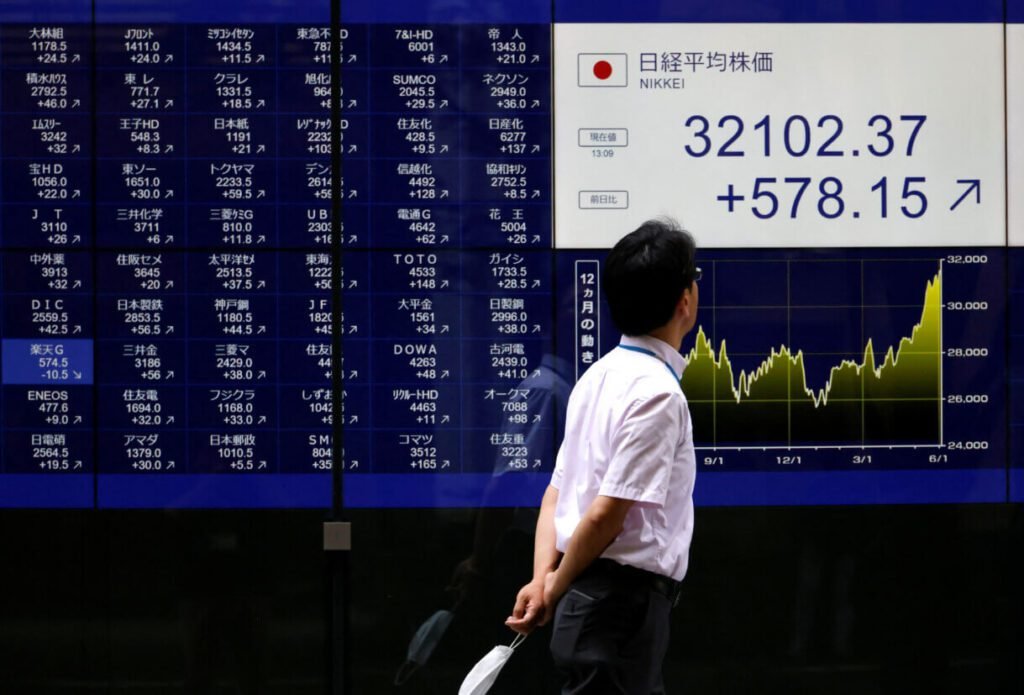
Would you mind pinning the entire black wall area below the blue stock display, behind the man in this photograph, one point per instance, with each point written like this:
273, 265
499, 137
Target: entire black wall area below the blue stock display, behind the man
788, 600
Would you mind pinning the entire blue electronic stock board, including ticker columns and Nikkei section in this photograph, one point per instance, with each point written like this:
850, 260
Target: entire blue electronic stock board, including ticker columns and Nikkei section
173, 263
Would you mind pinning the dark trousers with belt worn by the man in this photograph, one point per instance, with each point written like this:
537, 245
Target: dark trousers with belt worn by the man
611, 634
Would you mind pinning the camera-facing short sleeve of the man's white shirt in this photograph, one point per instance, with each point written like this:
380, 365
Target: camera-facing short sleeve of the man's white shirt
644, 449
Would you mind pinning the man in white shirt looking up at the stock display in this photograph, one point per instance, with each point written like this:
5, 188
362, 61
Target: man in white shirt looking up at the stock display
614, 534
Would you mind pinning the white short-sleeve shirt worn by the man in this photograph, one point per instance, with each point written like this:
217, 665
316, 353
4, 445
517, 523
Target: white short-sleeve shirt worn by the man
628, 436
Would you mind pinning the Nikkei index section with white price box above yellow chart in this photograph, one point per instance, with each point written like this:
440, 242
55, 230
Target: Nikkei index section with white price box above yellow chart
844, 176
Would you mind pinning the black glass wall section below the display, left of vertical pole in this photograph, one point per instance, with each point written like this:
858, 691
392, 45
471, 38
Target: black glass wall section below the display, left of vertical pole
154, 602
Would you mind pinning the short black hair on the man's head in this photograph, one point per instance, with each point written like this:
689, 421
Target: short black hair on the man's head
646, 275
